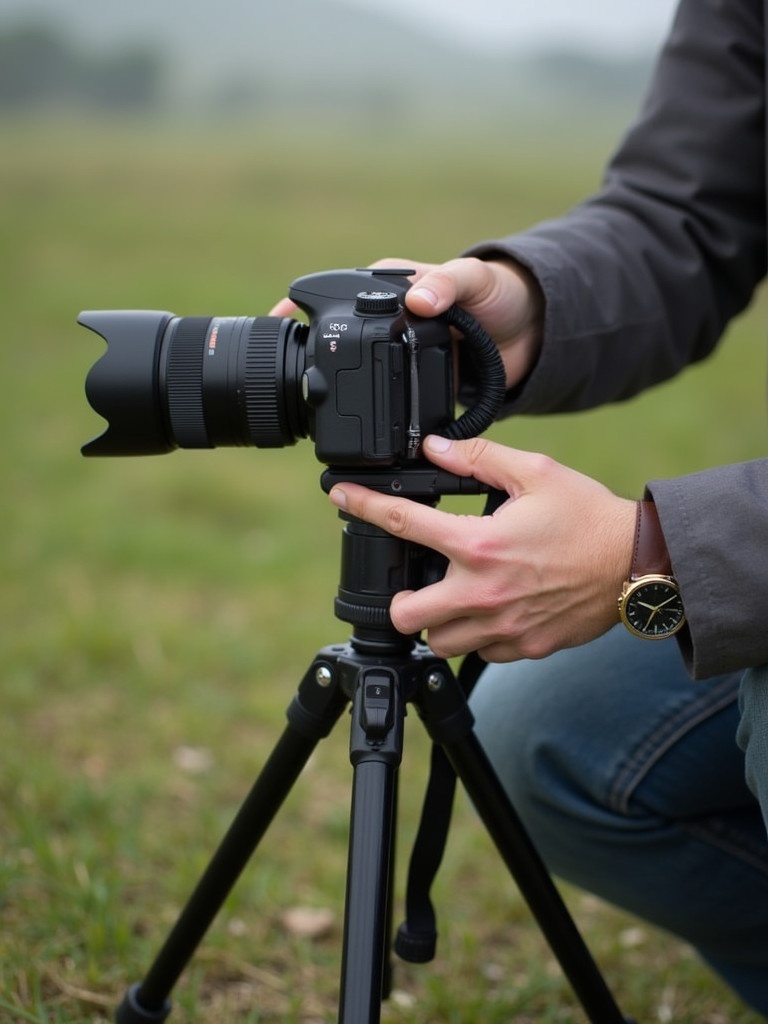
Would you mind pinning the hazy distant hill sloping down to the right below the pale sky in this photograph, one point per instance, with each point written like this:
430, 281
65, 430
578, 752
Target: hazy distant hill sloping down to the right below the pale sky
319, 54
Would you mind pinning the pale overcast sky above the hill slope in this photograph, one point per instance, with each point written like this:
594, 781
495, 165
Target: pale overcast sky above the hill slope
607, 25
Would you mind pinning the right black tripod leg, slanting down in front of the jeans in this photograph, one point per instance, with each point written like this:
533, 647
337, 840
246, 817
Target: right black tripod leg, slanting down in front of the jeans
445, 711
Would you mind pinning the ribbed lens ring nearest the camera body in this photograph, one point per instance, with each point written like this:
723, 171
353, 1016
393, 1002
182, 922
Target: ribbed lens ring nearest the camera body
265, 385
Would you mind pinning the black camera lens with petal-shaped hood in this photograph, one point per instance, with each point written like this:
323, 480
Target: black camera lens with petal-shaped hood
168, 382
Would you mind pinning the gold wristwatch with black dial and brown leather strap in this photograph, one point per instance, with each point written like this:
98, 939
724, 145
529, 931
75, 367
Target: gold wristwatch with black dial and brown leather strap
651, 605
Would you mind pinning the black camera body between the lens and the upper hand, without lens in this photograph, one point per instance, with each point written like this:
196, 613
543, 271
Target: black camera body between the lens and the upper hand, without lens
375, 380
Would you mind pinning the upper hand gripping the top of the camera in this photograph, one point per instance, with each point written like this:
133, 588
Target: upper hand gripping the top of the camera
502, 295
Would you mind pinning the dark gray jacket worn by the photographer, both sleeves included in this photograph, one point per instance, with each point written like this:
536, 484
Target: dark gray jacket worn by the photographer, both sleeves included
642, 281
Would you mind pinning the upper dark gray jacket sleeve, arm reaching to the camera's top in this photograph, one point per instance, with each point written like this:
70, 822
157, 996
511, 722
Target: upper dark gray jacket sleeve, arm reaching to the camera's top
642, 280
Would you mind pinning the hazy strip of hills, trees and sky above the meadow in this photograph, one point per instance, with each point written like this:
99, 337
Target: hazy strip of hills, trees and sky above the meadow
443, 61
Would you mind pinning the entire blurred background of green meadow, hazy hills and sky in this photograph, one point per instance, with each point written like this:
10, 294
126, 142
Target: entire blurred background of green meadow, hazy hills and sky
158, 614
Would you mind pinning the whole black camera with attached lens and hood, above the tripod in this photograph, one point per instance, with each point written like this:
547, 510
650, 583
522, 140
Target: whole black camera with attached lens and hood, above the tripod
365, 379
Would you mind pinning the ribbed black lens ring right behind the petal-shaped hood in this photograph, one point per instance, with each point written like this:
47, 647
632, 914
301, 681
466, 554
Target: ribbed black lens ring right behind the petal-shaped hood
185, 382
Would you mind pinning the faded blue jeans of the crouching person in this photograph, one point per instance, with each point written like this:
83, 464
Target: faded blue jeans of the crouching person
628, 777
